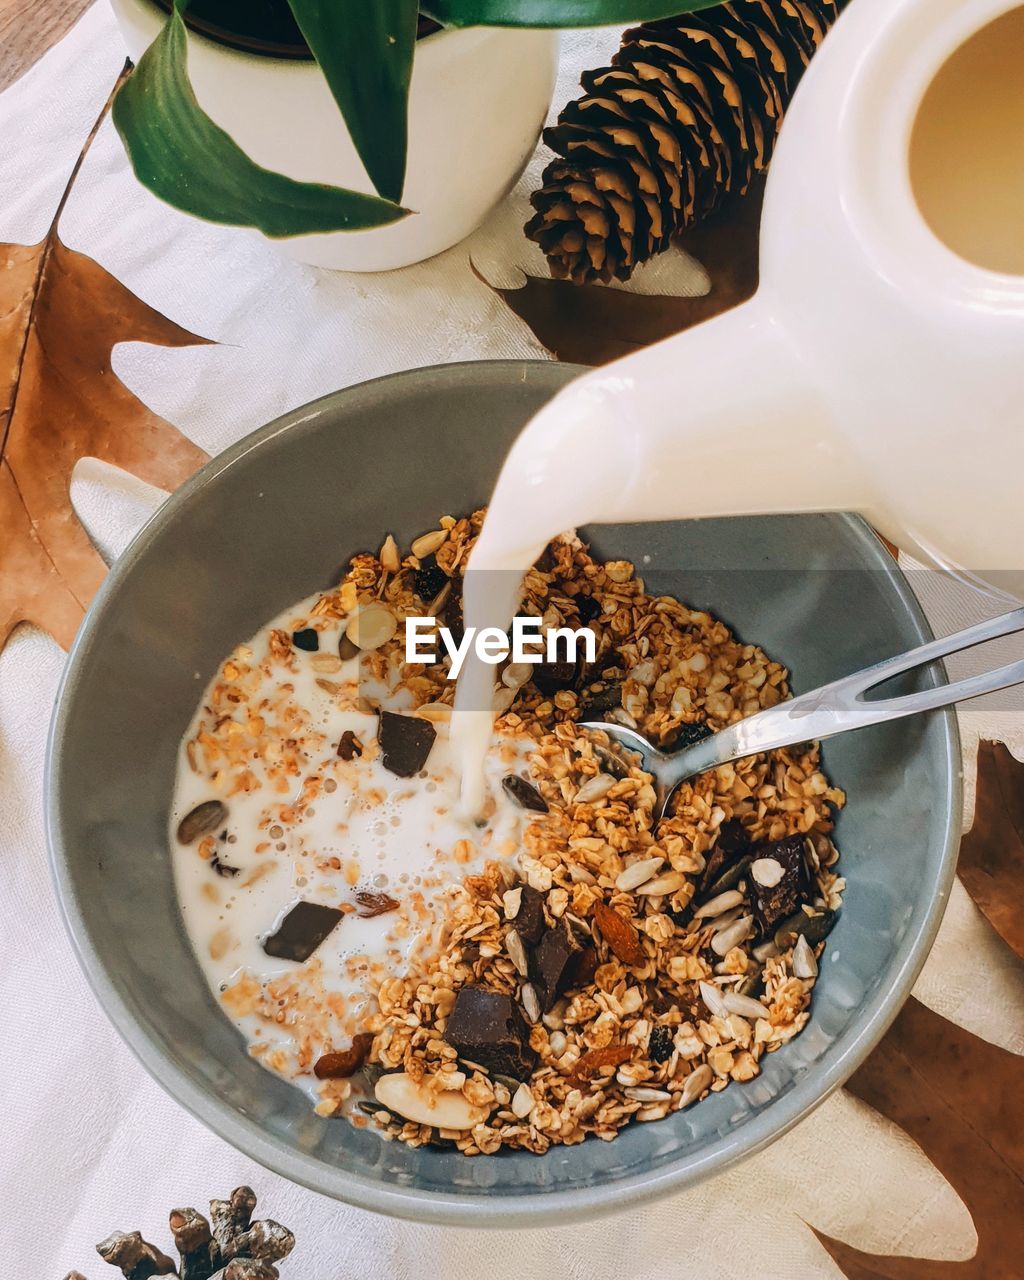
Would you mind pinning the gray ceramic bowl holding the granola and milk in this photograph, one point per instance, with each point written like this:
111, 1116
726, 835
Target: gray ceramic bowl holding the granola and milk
271, 522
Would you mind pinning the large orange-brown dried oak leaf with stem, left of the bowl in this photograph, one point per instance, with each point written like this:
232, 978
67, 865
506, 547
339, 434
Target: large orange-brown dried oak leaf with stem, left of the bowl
61, 317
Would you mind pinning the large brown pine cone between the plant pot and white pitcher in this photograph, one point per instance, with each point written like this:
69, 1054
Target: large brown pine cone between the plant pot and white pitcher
687, 116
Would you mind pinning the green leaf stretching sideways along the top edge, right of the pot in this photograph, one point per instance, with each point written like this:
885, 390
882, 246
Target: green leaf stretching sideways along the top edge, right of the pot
555, 13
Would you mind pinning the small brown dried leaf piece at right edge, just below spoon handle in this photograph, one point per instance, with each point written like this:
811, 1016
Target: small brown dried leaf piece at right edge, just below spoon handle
993, 853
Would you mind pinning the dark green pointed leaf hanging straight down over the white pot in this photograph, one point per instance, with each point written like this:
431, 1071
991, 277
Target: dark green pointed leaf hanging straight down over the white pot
365, 52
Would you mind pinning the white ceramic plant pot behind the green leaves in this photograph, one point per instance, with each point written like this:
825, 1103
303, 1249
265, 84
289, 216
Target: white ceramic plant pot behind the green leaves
477, 106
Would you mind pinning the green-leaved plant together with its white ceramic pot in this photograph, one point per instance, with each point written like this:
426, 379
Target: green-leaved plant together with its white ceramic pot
232, 113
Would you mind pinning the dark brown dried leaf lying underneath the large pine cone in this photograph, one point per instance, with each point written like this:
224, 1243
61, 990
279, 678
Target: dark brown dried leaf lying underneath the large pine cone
591, 324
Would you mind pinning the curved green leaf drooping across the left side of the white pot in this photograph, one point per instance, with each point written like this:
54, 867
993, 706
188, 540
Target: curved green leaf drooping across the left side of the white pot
189, 161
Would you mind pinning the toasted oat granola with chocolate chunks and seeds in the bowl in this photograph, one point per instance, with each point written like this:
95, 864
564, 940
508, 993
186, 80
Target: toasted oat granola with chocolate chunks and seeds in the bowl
601, 970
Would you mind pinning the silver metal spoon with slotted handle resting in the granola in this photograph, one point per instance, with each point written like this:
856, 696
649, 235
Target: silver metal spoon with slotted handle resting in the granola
828, 711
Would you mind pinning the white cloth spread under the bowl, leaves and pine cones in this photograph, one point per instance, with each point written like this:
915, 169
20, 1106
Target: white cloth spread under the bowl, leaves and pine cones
89, 1142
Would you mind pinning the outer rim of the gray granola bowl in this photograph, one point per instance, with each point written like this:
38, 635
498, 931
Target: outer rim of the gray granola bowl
456, 1209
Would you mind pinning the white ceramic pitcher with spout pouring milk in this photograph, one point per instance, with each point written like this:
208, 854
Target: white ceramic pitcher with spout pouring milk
880, 368
